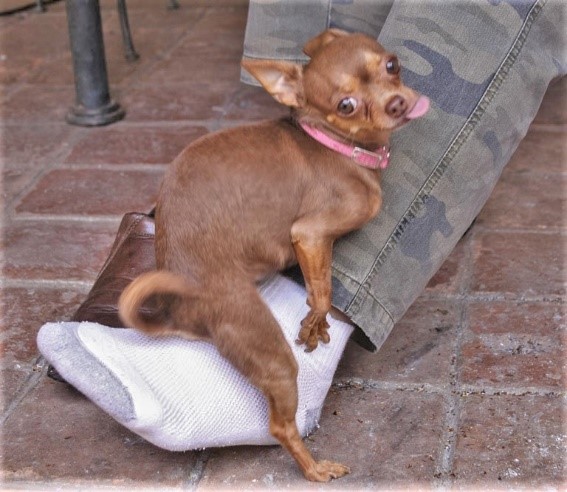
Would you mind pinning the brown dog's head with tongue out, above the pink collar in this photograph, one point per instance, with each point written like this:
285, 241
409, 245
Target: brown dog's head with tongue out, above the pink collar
351, 86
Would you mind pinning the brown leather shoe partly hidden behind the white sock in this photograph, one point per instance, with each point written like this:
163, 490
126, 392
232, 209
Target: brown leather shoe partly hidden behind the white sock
131, 255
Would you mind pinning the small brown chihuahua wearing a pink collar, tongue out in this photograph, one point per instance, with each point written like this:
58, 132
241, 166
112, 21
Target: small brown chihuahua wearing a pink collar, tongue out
244, 202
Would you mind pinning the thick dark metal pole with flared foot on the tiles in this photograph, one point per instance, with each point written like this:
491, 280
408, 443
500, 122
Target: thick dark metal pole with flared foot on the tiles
93, 105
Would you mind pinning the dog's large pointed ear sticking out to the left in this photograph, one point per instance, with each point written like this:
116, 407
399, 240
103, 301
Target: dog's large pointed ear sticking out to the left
283, 80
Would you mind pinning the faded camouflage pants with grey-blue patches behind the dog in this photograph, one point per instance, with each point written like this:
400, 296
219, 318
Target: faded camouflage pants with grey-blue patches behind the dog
485, 65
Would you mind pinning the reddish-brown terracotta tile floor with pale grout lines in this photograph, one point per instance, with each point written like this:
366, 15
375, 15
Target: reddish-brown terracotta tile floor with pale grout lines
468, 391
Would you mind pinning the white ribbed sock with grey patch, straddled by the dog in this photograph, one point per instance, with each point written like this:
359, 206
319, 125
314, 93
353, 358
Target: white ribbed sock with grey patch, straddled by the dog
180, 394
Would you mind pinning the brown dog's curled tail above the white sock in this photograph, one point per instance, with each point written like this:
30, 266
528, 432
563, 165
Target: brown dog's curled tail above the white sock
144, 287
